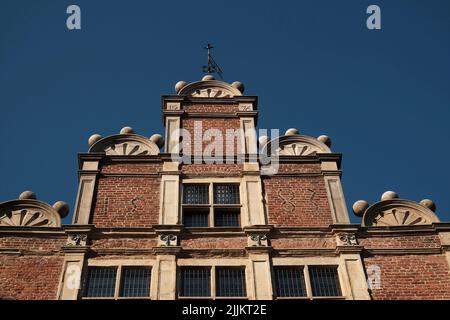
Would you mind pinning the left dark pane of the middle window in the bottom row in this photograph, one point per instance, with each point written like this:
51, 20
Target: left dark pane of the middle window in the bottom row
195, 282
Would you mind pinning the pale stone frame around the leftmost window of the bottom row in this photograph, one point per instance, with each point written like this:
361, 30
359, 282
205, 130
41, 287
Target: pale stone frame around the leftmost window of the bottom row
119, 264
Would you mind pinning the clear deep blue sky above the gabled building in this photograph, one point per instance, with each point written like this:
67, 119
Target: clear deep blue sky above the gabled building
382, 96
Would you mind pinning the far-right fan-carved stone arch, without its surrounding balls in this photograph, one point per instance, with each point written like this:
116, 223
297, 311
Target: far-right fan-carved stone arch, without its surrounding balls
398, 212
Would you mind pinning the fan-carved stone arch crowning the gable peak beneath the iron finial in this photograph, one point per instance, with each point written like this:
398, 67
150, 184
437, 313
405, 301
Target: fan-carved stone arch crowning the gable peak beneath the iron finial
209, 89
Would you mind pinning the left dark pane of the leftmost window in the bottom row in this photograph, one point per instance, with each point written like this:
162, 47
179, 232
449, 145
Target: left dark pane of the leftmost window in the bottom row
101, 282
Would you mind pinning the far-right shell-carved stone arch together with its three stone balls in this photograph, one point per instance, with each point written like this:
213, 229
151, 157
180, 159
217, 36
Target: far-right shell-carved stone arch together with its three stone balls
391, 211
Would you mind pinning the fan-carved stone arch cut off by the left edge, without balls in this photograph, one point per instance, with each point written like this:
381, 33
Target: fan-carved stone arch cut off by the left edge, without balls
28, 213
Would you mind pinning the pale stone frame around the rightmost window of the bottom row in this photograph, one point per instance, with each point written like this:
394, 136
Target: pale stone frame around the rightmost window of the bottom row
305, 263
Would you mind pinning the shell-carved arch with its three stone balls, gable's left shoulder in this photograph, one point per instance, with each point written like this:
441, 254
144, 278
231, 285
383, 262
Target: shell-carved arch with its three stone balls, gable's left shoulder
126, 144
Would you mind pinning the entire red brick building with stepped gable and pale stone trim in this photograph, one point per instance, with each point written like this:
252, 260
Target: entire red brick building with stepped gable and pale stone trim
155, 218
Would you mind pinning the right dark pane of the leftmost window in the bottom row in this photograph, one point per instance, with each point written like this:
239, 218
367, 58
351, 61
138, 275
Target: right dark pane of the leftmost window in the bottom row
135, 282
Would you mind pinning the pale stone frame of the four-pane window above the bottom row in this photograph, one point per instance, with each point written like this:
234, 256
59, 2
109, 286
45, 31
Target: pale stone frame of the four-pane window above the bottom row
211, 205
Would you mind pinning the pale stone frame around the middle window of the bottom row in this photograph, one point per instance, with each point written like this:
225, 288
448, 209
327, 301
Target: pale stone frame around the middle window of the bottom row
213, 264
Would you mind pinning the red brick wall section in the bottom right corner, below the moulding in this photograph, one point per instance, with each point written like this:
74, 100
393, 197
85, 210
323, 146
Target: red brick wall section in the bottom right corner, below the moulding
411, 277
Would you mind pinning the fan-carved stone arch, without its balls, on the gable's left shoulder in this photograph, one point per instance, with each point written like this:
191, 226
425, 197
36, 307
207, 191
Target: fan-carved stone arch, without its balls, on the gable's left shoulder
125, 145
